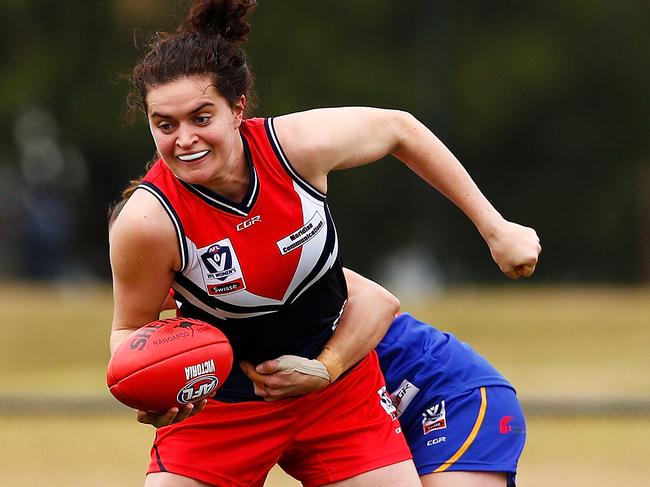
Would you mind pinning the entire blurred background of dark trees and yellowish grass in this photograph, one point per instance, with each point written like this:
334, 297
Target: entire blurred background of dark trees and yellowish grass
545, 103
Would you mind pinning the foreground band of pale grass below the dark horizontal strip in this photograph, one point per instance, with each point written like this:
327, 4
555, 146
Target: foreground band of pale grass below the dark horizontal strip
110, 450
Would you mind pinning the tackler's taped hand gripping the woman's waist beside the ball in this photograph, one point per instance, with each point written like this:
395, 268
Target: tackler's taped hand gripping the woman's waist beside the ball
286, 376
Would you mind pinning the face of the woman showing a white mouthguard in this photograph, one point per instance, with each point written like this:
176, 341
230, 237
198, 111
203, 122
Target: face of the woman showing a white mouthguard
196, 131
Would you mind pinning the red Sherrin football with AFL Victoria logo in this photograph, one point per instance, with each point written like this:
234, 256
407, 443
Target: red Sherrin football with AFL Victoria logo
169, 363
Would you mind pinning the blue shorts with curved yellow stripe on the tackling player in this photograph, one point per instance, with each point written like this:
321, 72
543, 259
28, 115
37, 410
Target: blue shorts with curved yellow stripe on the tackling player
480, 430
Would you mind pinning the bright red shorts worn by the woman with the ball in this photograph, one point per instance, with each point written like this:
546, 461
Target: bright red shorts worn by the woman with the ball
324, 437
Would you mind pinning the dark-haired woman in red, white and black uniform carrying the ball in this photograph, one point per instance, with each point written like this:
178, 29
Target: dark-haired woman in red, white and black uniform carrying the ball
233, 216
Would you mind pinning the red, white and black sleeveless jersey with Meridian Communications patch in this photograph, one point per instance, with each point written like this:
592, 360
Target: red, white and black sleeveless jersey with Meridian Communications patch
266, 270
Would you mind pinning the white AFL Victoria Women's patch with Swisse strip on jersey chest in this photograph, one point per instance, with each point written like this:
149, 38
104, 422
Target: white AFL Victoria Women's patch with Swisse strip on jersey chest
220, 267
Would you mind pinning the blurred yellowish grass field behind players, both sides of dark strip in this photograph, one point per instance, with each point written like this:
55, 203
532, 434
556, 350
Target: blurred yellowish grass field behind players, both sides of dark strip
555, 343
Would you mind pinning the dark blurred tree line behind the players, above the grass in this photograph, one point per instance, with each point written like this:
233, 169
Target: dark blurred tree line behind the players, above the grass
545, 103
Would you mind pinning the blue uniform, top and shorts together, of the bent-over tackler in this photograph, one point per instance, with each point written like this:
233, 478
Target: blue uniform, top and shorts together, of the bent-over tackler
456, 410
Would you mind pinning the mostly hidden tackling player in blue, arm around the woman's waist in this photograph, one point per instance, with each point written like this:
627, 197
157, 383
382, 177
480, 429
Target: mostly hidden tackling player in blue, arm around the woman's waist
461, 418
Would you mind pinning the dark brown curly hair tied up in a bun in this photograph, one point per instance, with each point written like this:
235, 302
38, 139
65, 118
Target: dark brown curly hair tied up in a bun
209, 43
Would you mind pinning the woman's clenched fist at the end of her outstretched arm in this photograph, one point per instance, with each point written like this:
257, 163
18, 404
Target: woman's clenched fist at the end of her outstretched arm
515, 249
